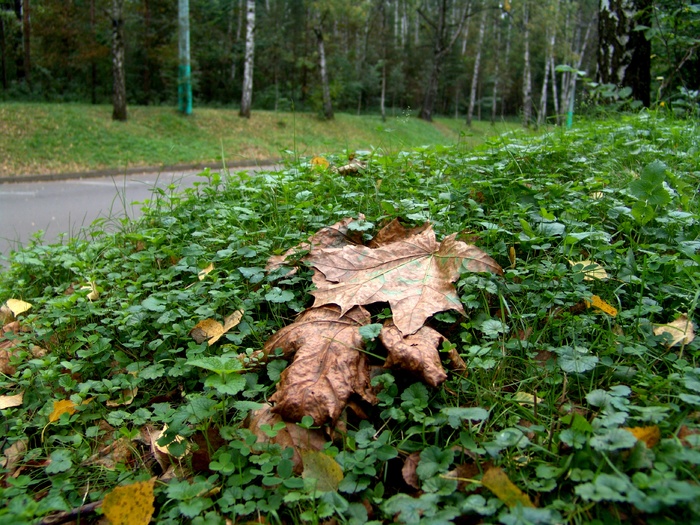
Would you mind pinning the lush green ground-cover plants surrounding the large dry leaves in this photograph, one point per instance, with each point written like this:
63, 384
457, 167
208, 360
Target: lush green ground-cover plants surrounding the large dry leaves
578, 406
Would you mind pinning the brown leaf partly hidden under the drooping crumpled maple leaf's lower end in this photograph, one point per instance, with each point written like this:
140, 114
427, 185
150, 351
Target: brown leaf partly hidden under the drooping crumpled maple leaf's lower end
291, 436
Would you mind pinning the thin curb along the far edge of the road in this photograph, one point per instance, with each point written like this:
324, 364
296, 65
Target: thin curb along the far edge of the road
113, 172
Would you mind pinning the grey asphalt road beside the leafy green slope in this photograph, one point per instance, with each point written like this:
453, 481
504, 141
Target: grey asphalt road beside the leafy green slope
61, 209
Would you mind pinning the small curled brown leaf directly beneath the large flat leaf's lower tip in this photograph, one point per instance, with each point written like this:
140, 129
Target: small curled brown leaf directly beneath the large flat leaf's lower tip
416, 353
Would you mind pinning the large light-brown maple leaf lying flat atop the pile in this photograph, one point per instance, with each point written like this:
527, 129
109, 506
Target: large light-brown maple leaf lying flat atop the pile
414, 275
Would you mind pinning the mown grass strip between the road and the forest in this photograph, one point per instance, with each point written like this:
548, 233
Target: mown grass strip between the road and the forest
57, 138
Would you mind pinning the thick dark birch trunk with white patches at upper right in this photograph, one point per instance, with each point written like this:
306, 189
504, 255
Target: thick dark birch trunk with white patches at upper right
624, 55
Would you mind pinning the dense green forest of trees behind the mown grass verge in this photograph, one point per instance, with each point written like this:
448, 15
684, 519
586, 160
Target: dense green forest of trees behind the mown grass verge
467, 58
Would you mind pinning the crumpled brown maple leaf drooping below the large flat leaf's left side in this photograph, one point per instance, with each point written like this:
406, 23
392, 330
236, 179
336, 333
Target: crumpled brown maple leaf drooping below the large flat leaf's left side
328, 365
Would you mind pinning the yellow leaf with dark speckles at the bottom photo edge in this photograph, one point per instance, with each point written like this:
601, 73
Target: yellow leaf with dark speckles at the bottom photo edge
130, 504
